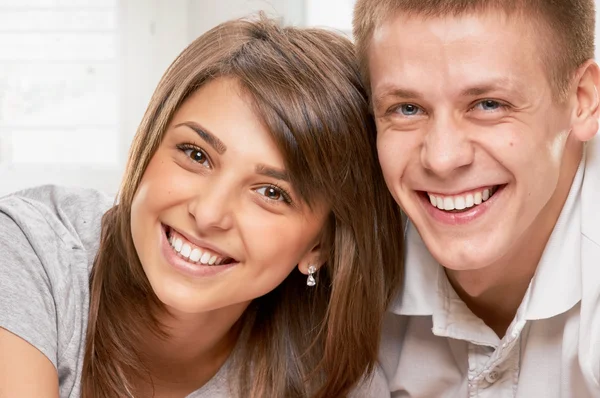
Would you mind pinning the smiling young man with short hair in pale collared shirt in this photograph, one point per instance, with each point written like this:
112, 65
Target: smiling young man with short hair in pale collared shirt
486, 114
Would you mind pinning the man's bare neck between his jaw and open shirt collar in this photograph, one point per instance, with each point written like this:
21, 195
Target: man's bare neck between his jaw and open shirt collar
494, 293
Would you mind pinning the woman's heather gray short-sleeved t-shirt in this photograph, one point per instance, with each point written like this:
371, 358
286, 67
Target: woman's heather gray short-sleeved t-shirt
49, 237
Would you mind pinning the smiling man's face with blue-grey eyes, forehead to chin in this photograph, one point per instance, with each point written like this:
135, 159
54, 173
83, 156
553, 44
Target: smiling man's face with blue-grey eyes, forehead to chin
470, 141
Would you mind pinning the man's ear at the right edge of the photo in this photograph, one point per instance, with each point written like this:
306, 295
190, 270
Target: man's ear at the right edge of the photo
584, 124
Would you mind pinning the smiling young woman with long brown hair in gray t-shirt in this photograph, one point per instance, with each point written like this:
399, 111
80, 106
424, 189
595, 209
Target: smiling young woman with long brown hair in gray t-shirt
252, 251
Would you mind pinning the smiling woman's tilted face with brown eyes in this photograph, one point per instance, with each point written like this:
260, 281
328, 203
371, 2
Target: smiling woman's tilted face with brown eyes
215, 221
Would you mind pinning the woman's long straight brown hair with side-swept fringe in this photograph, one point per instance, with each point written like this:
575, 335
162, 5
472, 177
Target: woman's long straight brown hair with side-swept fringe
296, 341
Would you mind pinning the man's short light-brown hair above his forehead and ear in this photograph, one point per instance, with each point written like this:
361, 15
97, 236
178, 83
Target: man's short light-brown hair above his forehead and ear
571, 24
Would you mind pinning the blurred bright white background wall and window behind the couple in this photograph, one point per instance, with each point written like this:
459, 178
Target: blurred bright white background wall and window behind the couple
76, 76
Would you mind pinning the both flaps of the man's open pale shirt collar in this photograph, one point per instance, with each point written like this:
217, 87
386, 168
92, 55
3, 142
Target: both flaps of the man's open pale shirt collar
554, 289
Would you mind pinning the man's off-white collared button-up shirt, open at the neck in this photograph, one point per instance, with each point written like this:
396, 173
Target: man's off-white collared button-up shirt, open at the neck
434, 346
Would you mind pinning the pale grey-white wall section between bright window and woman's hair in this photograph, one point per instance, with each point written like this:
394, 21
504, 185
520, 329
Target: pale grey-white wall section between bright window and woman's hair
157, 31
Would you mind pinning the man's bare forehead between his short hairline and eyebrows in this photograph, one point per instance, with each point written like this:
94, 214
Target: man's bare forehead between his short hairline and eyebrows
470, 61
